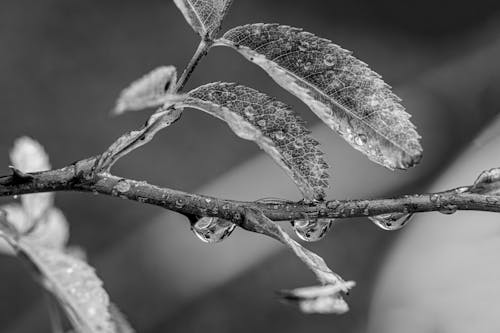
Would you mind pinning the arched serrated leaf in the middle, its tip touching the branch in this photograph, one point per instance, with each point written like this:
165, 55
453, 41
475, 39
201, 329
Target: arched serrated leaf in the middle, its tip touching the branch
272, 125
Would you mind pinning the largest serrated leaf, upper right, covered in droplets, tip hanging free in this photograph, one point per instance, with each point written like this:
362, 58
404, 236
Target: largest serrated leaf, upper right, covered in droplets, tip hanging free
343, 92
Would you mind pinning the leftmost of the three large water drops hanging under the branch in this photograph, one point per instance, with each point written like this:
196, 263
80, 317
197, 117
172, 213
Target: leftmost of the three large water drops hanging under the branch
212, 229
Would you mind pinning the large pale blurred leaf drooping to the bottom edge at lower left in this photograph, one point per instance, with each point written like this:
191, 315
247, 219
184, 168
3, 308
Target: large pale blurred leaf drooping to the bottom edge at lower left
75, 285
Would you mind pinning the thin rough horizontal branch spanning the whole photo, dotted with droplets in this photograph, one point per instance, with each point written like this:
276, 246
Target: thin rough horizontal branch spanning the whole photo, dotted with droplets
79, 177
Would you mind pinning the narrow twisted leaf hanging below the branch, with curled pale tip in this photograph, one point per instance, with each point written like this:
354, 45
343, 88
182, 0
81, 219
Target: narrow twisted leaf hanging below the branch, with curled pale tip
332, 284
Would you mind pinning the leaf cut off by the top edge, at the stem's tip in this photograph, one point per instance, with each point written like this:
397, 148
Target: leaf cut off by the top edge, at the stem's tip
204, 16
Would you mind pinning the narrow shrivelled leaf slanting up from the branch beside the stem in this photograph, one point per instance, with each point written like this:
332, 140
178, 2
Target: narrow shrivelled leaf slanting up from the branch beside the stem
135, 139
